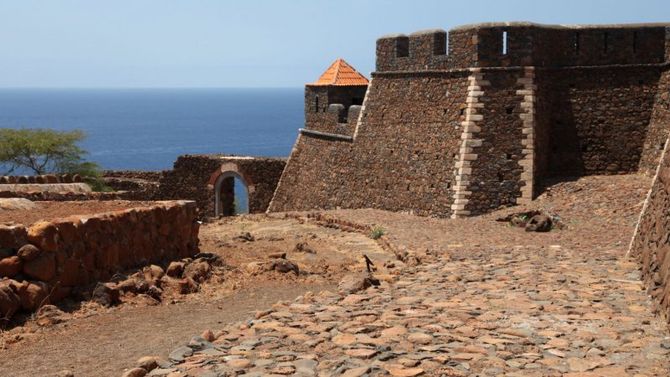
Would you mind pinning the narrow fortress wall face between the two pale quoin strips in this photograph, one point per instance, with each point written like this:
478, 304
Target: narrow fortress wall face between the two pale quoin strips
495, 178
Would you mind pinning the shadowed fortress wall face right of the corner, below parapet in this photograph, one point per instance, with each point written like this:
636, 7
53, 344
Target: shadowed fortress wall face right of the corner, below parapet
598, 118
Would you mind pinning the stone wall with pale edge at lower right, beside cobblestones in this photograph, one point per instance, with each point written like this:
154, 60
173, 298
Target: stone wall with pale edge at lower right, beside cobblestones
651, 240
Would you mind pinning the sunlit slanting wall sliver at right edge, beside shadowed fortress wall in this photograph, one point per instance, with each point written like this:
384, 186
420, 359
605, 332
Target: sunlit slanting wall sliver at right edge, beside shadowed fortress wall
659, 126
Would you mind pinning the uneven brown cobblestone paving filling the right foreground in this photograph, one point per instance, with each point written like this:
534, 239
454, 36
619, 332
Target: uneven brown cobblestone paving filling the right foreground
522, 311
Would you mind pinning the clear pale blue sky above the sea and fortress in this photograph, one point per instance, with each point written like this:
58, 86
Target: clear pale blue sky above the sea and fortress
250, 43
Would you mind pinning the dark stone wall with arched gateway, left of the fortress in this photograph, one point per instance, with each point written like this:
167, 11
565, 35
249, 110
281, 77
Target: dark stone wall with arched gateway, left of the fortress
194, 177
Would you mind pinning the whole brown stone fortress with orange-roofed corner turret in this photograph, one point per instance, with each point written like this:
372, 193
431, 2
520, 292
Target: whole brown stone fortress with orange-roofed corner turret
463, 122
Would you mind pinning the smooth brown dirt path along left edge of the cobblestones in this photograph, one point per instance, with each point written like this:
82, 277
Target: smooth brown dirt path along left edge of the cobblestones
103, 345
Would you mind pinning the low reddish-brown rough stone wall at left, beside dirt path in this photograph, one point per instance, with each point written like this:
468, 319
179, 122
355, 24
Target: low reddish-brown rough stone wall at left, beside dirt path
46, 261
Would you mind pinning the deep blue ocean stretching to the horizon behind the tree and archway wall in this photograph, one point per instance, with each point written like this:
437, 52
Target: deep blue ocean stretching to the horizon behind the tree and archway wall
146, 129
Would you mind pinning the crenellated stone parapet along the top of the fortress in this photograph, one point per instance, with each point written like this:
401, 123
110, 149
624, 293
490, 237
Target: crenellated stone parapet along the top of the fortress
524, 44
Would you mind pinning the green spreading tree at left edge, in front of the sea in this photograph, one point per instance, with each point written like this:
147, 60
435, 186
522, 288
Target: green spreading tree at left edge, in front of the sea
45, 151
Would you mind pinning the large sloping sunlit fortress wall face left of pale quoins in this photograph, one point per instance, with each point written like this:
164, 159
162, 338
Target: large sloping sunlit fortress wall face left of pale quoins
402, 158
